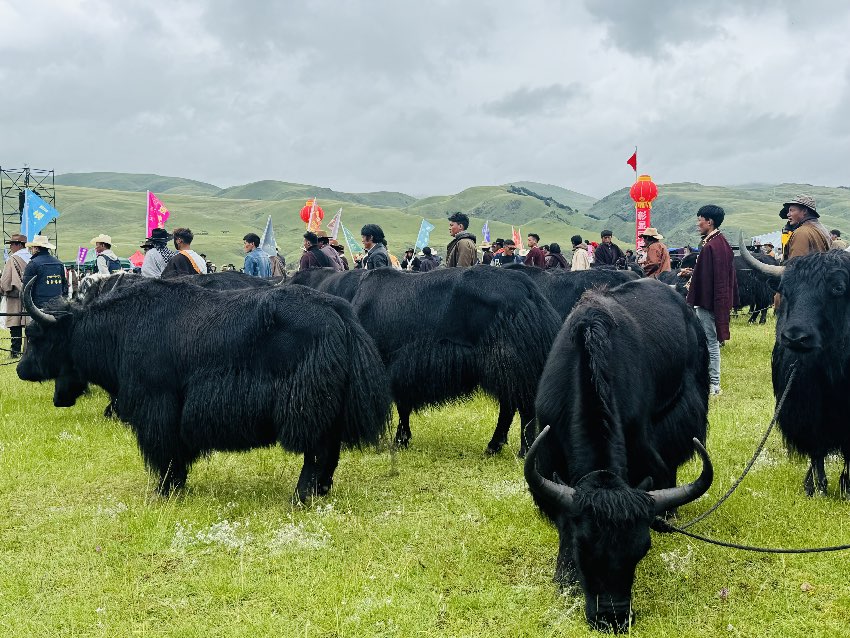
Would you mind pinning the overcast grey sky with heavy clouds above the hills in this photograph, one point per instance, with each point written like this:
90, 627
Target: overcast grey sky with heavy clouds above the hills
433, 97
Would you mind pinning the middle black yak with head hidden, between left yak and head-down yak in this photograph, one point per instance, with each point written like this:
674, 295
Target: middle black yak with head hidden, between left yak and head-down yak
444, 333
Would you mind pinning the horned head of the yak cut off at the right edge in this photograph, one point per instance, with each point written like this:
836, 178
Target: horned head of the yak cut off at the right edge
815, 301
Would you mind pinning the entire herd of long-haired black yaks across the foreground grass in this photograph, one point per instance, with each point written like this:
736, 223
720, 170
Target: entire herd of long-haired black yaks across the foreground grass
315, 362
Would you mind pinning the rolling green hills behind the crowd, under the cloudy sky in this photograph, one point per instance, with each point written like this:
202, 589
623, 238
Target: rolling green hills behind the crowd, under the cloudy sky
112, 202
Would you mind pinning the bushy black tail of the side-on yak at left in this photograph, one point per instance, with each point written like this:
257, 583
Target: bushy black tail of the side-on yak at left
367, 401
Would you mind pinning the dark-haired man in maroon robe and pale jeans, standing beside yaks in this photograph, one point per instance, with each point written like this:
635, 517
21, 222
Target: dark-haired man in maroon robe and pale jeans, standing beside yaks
713, 289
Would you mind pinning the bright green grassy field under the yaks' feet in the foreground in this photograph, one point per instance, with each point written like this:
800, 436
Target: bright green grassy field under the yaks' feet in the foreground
437, 540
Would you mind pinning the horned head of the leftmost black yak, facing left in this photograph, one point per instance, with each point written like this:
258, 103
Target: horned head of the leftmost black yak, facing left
48, 351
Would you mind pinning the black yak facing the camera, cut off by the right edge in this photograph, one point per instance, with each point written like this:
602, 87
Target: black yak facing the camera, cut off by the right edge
813, 331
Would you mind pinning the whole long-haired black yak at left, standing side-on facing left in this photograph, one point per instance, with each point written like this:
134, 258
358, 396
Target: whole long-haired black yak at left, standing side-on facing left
281, 364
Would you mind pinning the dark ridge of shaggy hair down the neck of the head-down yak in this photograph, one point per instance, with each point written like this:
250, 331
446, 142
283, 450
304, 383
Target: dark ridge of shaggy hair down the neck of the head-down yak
591, 332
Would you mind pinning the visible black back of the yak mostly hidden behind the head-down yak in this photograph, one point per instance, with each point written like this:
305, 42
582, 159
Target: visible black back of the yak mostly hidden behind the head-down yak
563, 289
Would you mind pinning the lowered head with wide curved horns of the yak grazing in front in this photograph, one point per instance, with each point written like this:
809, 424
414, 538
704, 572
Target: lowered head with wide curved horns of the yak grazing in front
605, 524
